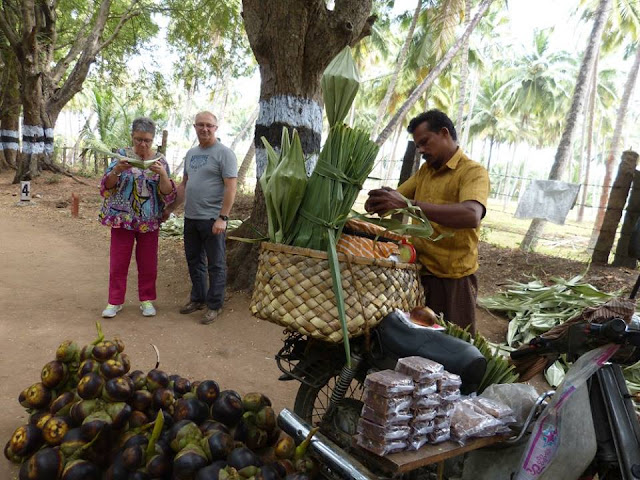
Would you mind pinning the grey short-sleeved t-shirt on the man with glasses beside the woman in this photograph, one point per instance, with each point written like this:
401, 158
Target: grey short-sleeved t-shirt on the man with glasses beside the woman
206, 169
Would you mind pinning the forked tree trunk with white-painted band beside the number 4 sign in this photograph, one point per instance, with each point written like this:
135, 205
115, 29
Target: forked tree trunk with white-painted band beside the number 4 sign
47, 84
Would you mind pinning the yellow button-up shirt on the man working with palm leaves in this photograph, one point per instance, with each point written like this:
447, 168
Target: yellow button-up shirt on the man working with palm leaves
459, 180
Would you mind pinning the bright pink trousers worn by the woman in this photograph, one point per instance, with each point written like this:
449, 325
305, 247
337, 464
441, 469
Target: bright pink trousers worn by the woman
122, 241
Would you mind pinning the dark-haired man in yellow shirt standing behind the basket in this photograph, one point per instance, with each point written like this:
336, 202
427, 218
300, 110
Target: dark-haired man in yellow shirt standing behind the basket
452, 191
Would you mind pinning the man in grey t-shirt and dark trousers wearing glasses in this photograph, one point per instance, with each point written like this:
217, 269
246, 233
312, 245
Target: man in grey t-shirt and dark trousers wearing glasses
208, 189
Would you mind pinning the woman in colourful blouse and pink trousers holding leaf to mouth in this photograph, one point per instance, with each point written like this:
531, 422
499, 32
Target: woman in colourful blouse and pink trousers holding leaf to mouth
134, 199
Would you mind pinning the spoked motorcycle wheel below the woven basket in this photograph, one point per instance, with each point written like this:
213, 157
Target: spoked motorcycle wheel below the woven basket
311, 404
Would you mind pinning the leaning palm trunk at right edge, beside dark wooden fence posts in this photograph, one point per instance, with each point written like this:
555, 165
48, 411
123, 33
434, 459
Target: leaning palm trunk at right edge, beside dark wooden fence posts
599, 254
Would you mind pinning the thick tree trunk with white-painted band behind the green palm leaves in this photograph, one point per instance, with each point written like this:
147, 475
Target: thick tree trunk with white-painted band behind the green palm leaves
293, 43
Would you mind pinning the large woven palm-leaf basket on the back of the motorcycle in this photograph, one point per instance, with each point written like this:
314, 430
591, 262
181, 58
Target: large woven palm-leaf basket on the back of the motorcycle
294, 289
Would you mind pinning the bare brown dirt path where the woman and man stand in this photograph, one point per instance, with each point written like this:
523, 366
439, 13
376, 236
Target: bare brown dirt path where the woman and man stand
53, 280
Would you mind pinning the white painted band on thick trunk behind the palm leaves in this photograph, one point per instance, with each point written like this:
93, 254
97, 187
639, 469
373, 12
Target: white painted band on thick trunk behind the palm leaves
292, 111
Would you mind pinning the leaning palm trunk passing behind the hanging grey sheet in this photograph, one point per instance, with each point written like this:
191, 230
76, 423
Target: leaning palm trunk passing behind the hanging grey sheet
566, 142
